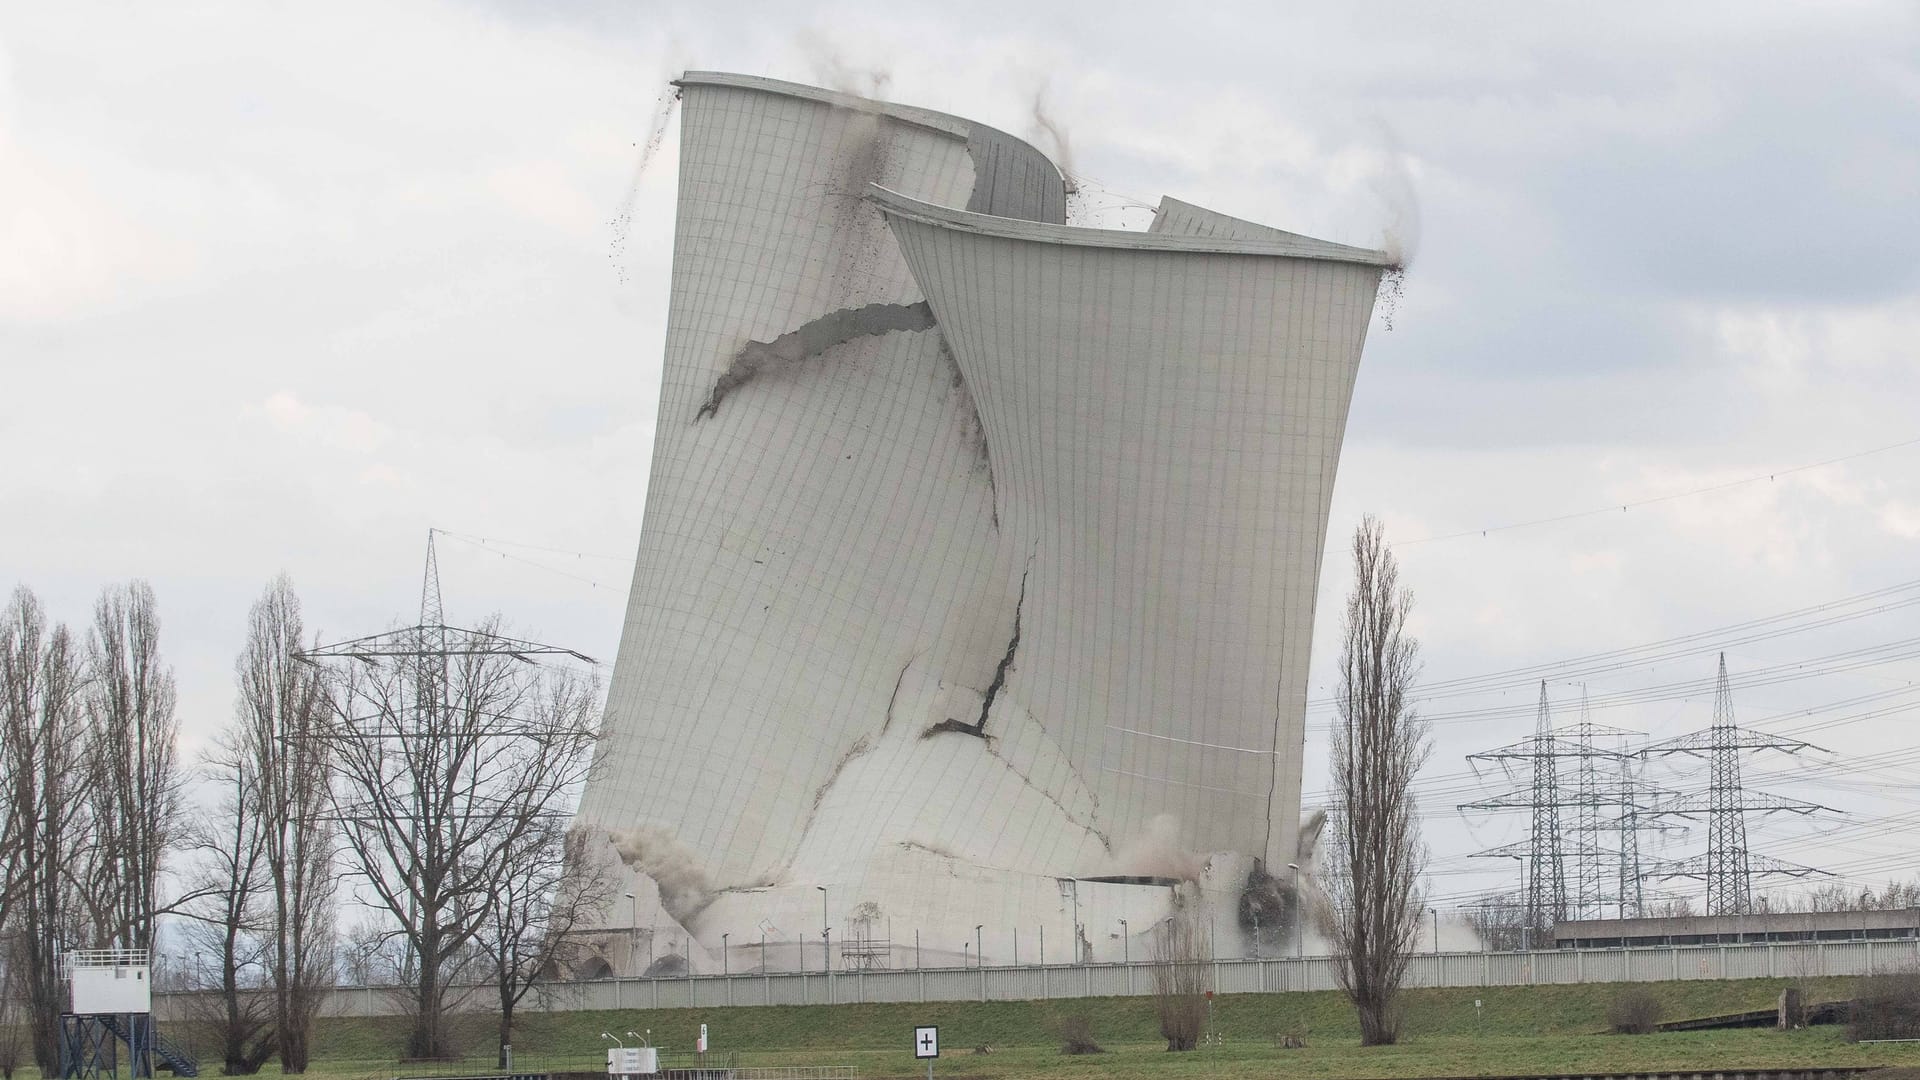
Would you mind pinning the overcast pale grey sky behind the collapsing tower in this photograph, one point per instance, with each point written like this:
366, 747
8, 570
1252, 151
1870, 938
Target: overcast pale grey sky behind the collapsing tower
281, 289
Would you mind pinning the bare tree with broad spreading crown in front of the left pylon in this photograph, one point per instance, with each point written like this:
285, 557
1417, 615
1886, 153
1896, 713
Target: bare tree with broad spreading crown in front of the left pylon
454, 754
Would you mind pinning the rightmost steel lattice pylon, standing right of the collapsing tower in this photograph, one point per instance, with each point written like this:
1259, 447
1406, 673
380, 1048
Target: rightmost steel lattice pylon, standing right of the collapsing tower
1729, 866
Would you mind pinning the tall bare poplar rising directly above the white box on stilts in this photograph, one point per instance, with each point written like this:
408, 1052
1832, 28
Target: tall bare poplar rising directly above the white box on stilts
135, 787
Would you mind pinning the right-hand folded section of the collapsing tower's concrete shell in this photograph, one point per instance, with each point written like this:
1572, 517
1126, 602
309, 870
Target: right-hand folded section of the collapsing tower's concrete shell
1172, 410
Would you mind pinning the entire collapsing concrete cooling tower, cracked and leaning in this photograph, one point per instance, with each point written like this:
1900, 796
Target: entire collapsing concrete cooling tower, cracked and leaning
980, 552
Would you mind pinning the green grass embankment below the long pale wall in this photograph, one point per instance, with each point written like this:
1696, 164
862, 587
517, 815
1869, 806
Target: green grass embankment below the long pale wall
1539, 1029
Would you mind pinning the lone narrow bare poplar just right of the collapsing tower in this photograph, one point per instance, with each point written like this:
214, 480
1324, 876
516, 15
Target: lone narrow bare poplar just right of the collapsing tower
1378, 747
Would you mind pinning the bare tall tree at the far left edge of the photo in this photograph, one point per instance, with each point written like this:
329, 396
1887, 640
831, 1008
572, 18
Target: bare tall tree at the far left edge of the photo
45, 770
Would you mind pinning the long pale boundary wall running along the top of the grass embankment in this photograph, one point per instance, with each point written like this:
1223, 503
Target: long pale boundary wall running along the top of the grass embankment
1116, 981
